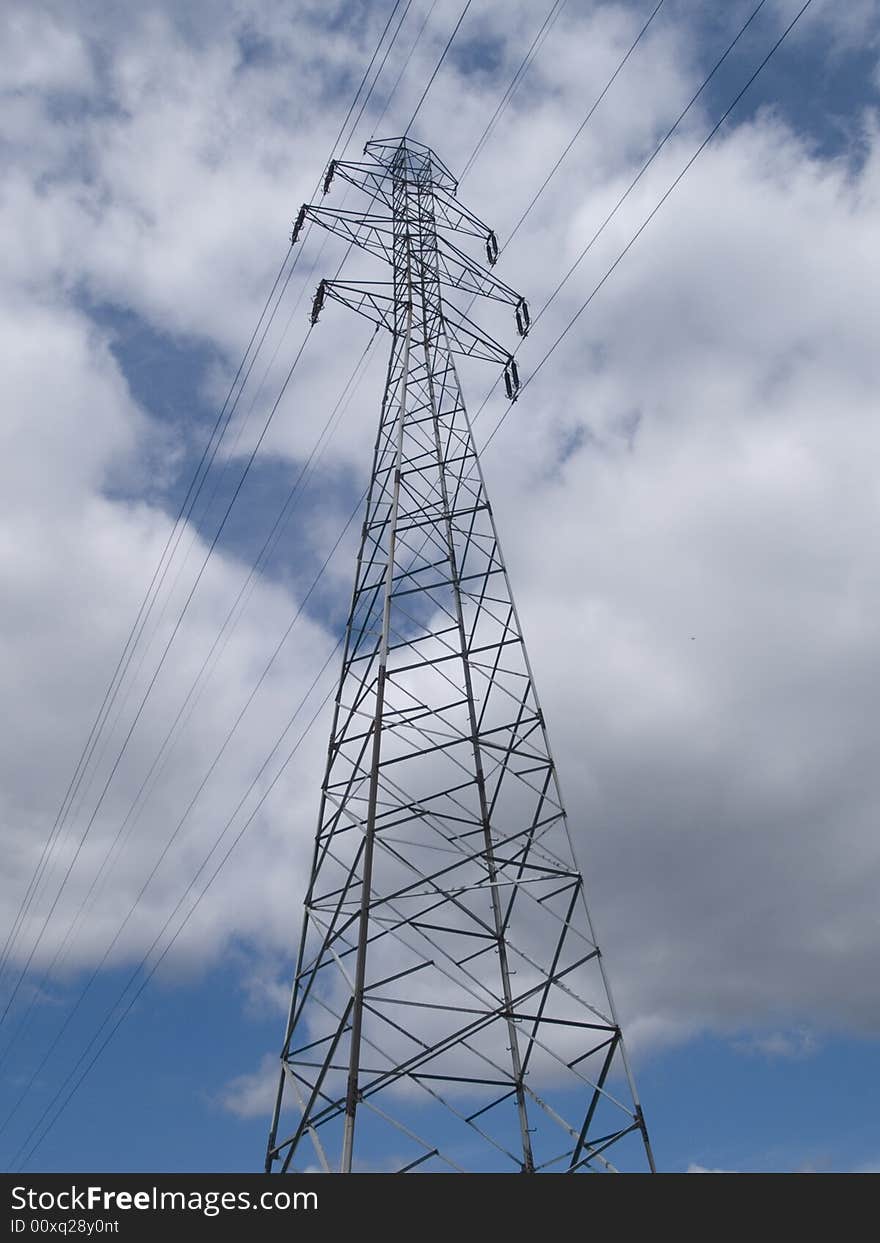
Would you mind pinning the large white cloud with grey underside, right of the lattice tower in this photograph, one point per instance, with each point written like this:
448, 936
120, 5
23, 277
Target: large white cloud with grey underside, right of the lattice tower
712, 582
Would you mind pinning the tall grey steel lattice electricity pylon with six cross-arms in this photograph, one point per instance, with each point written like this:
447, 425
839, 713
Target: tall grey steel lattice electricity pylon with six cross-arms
451, 1007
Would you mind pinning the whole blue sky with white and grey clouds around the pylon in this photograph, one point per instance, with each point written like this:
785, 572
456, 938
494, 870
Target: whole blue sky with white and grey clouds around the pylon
685, 494
